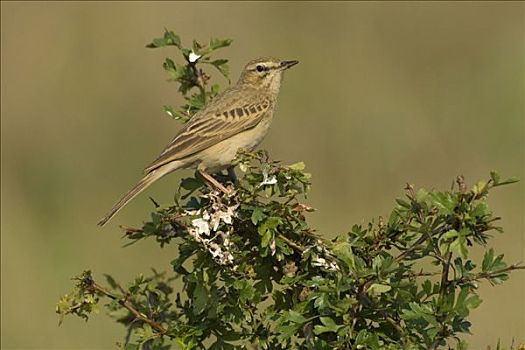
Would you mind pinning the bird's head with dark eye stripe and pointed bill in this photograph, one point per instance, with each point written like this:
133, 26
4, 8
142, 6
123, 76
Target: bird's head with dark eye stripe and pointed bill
265, 73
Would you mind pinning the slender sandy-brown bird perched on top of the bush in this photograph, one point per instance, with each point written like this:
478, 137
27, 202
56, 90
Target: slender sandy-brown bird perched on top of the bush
237, 118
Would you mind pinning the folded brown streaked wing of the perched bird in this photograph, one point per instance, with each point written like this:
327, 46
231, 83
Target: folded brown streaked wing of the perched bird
227, 115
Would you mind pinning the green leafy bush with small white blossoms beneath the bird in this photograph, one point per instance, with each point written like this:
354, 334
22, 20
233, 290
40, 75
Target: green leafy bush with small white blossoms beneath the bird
254, 275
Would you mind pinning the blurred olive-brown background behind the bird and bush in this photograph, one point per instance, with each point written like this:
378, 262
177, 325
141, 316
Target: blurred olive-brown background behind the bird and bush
385, 93
